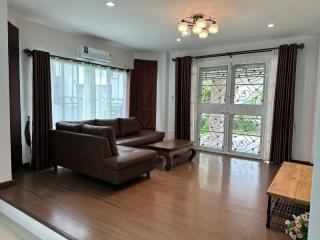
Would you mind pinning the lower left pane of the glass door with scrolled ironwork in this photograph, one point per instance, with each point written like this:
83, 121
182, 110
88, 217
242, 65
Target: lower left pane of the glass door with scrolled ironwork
212, 130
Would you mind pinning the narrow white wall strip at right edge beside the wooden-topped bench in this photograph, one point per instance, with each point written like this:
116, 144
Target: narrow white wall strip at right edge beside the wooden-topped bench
314, 231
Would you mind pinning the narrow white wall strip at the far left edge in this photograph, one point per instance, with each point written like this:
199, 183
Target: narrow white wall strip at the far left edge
5, 147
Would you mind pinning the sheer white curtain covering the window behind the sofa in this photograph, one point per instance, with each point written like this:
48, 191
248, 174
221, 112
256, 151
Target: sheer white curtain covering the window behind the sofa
84, 91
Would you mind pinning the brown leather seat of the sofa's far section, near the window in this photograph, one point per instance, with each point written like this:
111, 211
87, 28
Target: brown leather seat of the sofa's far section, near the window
144, 137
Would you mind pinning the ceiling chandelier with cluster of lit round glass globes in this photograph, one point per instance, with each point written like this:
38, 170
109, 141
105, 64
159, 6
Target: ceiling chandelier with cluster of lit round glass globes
199, 25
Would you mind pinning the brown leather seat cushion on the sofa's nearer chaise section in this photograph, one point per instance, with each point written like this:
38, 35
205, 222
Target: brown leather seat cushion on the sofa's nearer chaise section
128, 157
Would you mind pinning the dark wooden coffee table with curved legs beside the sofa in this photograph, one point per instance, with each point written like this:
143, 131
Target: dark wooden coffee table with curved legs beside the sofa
170, 148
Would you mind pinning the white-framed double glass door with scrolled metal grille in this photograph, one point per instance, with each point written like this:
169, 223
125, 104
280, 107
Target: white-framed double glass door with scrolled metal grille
231, 107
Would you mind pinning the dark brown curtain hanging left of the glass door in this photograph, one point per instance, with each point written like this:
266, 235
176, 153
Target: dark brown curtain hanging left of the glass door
183, 97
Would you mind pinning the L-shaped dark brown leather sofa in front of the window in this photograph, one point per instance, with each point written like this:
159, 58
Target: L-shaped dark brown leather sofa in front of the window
104, 149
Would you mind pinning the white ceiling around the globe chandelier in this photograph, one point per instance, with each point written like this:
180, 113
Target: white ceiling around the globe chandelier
151, 24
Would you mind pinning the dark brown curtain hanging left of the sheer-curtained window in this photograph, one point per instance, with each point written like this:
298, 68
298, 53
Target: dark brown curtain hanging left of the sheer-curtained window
41, 119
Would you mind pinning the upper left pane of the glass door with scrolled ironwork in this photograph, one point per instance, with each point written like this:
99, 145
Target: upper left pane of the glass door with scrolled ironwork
213, 84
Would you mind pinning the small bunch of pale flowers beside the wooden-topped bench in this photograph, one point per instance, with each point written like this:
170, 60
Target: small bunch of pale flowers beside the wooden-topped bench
298, 227
